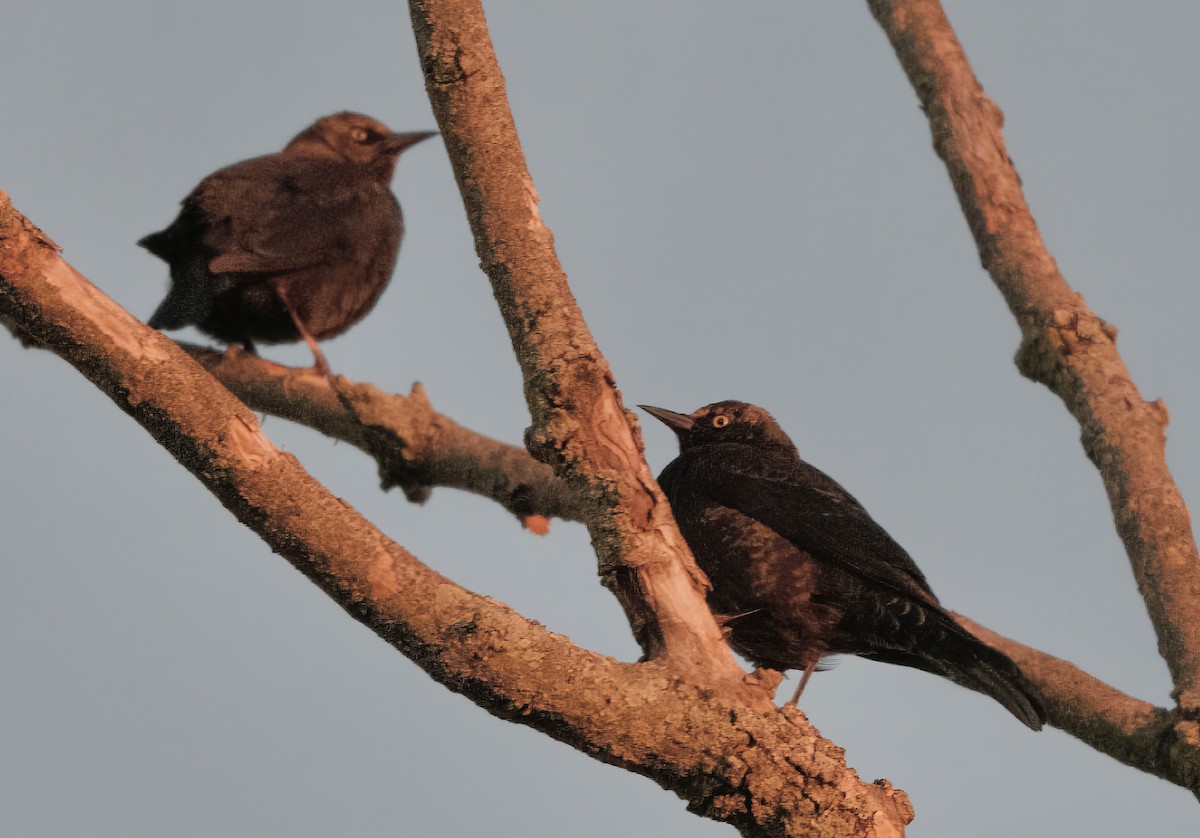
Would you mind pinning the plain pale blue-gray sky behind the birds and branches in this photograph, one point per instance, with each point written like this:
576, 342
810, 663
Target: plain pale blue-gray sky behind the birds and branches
748, 206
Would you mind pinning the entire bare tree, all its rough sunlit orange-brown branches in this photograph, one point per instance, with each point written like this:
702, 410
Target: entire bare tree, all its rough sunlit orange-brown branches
688, 717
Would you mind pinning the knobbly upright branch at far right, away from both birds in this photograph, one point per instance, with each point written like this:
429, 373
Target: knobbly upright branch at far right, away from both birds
1065, 345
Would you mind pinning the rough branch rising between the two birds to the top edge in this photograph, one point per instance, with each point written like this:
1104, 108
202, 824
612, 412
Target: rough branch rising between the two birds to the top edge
580, 426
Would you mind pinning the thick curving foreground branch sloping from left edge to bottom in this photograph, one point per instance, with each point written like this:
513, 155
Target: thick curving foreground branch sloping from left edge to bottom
765, 773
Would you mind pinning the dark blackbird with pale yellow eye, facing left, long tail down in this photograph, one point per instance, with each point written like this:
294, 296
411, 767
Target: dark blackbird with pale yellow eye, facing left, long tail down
800, 571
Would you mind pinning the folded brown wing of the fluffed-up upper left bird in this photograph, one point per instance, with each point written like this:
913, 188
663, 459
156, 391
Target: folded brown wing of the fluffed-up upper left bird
274, 214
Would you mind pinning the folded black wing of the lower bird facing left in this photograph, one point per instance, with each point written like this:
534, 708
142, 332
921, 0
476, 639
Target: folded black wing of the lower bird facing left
811, 510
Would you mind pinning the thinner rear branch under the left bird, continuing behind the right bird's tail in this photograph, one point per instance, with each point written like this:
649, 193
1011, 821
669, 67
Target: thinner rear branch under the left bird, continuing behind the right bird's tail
1132, 732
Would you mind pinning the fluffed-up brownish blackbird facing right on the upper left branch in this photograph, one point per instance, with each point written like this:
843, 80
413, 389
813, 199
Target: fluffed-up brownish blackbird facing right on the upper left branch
292, 246
